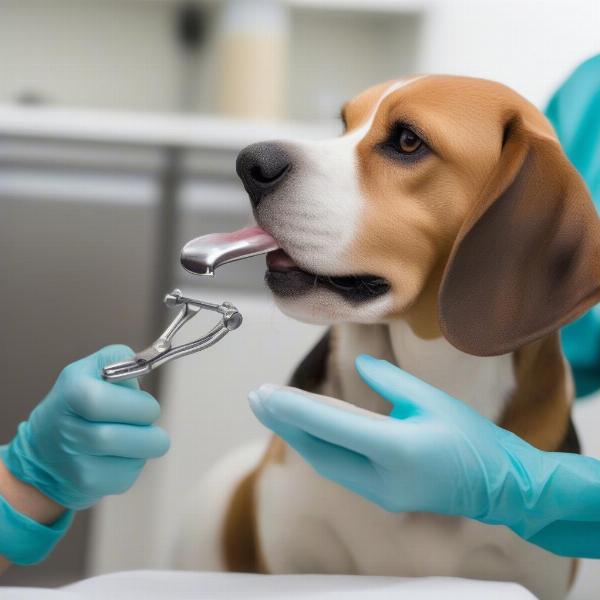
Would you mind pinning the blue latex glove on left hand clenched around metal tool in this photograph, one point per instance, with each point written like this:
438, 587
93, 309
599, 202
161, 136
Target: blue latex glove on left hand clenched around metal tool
88, 438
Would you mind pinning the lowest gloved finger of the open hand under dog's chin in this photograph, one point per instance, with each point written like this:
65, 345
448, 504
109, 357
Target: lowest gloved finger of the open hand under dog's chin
333, 462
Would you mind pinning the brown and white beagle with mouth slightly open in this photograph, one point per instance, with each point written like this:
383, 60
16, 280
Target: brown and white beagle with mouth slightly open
446, 232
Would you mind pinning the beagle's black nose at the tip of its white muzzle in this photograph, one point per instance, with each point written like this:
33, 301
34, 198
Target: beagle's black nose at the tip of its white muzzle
262, 167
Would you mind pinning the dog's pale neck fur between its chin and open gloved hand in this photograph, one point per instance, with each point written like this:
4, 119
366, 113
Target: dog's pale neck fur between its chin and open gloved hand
484, 383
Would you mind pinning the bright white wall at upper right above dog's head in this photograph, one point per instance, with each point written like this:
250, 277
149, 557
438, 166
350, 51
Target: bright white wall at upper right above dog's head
531, 45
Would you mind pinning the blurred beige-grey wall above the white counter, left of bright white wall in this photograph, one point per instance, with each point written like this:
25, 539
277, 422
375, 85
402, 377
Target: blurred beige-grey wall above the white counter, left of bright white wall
123, 54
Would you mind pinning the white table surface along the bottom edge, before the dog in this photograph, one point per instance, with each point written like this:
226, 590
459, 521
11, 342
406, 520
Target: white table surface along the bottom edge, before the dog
179, 585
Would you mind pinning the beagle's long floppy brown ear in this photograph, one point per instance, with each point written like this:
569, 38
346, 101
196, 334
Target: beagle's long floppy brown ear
527, 260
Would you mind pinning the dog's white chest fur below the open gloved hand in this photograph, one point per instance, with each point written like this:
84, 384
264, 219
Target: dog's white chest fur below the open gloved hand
310, 525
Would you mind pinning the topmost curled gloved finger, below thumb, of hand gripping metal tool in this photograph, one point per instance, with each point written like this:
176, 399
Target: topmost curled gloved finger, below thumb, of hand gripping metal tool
100, 401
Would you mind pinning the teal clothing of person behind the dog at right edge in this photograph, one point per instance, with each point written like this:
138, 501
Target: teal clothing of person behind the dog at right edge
574, 110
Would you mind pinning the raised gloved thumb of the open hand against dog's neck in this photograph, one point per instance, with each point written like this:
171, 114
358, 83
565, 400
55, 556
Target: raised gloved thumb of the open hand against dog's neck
408, 394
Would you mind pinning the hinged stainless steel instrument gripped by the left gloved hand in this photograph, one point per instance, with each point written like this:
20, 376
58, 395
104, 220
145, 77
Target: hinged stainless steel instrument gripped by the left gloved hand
163, 351
